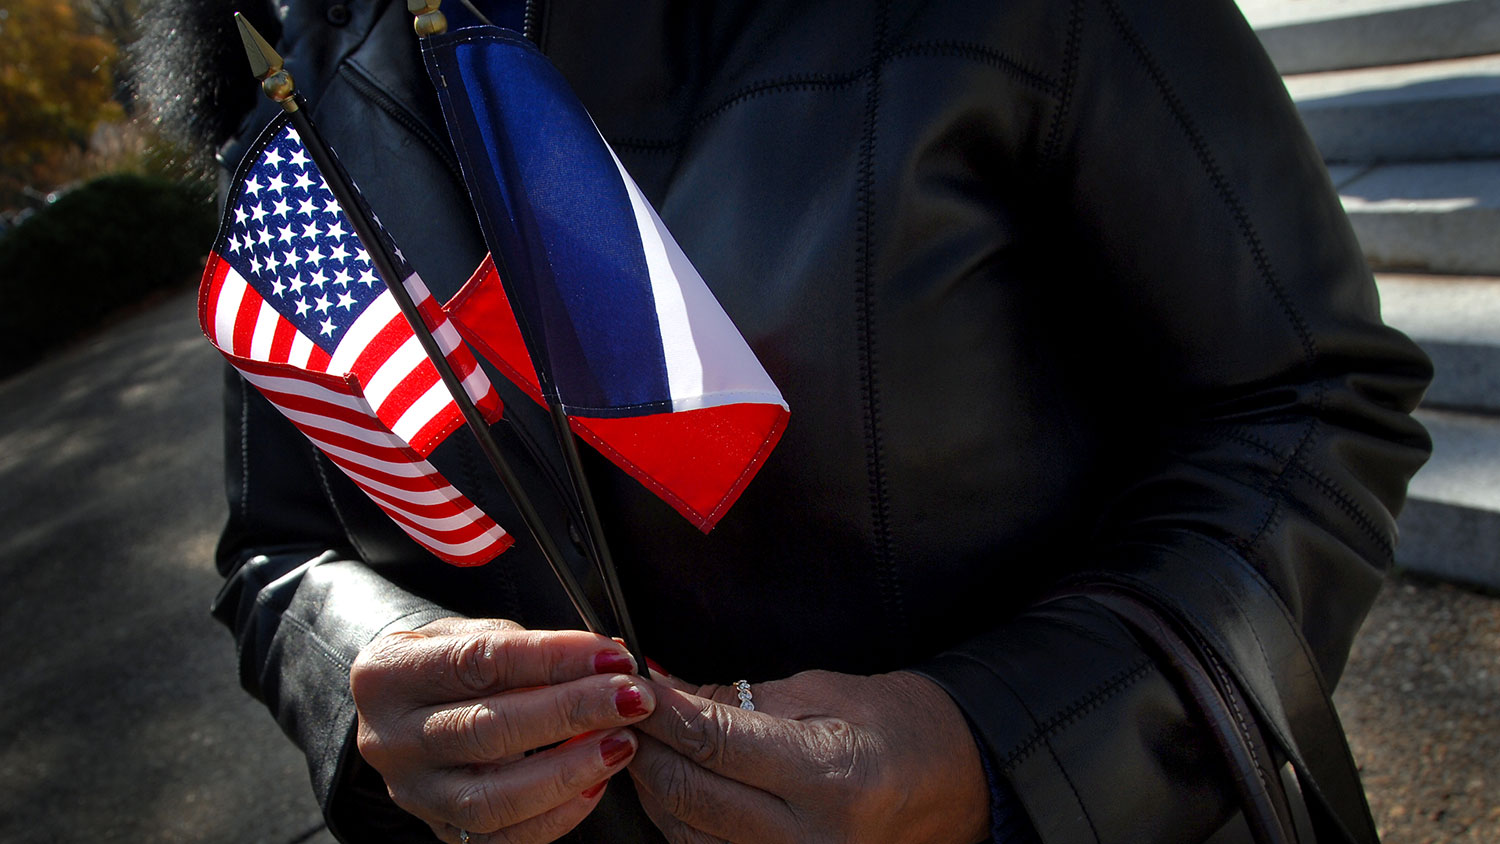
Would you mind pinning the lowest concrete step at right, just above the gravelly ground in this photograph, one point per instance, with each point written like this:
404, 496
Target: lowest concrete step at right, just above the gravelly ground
1451, 525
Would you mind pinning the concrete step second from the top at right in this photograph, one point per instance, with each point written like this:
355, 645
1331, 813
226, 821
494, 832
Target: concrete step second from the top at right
1426, 112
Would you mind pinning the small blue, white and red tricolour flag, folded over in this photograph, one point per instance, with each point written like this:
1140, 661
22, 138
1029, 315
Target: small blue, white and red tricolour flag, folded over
622, 331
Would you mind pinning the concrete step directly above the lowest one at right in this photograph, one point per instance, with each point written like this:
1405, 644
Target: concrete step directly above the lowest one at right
1457, 322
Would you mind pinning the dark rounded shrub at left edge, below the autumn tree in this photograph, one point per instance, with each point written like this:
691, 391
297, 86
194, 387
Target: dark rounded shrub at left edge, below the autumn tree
97, 250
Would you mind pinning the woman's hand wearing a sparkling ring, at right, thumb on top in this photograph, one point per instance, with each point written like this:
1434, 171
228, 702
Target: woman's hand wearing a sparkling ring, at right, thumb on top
826, 758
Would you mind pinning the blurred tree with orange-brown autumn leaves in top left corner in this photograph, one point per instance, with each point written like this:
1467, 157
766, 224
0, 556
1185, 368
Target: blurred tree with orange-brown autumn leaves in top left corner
56, 86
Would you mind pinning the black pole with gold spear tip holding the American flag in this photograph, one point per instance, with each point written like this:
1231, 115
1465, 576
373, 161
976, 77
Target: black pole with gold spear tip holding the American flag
278, 85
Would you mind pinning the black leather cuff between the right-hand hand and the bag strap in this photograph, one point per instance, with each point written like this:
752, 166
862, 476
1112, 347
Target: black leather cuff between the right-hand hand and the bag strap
1069, 708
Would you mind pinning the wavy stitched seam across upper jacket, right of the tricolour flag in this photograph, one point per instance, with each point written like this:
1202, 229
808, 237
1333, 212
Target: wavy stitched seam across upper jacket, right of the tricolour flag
830, 82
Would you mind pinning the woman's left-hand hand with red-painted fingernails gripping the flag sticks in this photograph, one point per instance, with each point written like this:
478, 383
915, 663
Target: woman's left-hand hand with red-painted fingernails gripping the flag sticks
449, 711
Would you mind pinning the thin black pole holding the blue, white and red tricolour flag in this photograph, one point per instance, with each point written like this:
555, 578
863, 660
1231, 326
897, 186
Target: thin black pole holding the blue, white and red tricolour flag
430, 22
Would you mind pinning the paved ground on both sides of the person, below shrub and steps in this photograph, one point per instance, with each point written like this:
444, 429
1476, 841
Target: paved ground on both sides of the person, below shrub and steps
122, 720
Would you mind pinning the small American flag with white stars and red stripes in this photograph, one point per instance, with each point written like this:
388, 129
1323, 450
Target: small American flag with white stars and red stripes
293, 301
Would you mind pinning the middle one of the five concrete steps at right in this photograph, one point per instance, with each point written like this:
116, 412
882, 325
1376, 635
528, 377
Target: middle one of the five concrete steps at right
1426, 218
